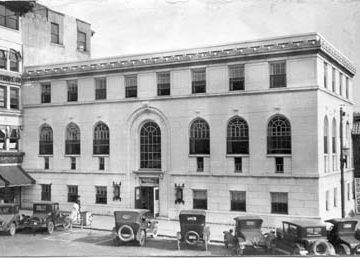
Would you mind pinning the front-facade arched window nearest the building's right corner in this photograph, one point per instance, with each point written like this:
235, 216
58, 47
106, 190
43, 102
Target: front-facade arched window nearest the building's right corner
279, 136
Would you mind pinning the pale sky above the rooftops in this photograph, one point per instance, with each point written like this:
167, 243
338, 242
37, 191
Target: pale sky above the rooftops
141, 26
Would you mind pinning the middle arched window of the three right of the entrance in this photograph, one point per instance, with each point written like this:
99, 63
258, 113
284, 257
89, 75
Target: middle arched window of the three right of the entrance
237, 136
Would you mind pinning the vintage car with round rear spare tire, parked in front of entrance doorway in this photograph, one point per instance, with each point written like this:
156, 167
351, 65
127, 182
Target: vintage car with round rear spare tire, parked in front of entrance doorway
134, 225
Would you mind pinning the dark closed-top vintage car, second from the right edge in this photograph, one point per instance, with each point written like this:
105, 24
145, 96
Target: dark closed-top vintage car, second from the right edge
306, 237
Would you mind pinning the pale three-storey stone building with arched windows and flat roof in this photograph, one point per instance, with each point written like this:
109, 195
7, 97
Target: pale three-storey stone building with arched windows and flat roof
251, 127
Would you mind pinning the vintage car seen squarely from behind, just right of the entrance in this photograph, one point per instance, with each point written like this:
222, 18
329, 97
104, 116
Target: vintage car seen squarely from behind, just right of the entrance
193, 229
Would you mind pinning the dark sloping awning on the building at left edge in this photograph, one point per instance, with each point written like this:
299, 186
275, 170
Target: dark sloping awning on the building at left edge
11, 176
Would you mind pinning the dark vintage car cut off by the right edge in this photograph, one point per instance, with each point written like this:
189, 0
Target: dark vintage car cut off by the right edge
342, 236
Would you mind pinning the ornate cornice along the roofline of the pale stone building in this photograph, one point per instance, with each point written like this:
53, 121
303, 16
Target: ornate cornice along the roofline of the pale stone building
289, 44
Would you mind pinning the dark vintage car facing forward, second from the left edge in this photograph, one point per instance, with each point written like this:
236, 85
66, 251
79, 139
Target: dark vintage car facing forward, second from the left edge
46, 214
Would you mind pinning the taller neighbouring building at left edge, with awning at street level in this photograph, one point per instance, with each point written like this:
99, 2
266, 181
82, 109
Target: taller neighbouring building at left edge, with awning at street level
29, 34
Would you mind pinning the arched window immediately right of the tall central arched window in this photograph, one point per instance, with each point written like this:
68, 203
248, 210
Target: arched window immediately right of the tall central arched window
199, 137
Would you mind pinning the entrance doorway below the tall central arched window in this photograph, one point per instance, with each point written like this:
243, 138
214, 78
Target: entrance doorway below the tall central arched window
147, 197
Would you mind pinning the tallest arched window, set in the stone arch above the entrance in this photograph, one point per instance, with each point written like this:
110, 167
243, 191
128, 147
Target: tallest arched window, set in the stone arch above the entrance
150, 146
